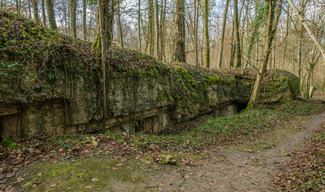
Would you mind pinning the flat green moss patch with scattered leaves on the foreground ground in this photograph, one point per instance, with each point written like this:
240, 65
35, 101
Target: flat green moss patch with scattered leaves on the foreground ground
74, 176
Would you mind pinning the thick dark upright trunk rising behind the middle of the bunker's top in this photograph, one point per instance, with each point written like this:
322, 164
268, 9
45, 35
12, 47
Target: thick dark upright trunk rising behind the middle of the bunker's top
180, 32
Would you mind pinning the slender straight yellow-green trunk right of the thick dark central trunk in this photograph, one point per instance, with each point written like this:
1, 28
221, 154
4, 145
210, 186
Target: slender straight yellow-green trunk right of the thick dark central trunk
206, 33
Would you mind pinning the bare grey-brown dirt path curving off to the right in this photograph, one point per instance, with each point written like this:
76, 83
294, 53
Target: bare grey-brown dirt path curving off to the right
249, 167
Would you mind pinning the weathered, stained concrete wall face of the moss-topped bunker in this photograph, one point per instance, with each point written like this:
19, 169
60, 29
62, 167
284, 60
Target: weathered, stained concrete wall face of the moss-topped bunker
134, 105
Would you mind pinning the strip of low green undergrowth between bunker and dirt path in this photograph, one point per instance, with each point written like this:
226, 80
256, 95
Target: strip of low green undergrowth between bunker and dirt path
248, 124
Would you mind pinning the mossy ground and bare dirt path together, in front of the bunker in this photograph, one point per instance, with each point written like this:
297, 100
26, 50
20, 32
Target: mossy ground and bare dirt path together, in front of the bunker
253, 165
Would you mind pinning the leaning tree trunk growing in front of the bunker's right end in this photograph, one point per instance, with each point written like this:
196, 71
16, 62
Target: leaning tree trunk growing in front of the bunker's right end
270, 33
